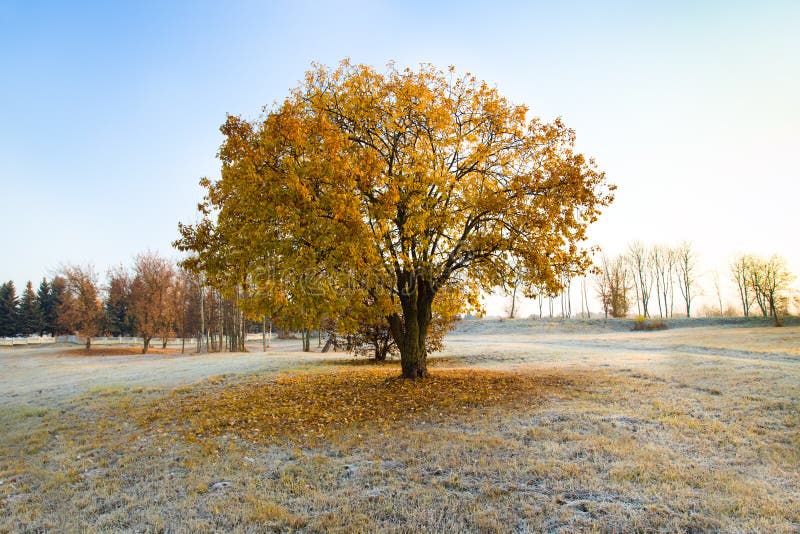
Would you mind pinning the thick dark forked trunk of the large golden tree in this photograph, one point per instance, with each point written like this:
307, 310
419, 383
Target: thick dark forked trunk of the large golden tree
410, 331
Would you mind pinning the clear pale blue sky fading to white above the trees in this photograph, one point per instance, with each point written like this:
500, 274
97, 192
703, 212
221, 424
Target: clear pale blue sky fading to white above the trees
110, 112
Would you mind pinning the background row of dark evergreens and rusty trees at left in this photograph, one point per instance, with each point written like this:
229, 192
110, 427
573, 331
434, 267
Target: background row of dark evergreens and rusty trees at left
152, 299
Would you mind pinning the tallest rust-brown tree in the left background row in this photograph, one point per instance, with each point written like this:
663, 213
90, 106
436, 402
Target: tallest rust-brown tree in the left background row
152, 305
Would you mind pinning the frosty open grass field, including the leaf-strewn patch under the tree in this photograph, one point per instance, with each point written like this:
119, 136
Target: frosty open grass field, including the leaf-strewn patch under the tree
524, 426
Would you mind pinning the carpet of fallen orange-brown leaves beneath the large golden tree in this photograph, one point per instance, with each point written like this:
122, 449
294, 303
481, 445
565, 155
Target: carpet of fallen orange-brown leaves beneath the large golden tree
306, 408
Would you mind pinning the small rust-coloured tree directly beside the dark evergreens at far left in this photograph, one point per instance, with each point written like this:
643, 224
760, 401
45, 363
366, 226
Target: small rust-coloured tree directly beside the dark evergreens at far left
80, 309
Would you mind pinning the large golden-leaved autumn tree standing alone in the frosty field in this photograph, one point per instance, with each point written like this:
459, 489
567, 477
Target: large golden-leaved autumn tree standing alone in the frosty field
395, 185
